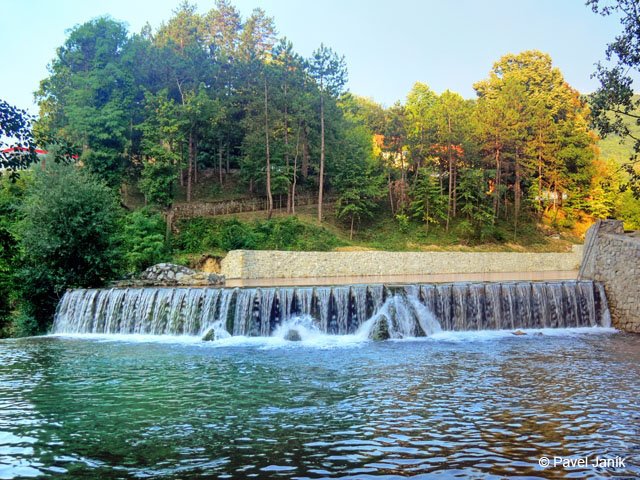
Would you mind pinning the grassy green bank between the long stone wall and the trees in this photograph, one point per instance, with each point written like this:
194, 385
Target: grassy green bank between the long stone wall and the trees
198, 238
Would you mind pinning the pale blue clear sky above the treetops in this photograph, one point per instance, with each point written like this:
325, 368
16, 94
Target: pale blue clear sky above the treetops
388, 45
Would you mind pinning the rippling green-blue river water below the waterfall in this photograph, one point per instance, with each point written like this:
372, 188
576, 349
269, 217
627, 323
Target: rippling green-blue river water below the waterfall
457, 405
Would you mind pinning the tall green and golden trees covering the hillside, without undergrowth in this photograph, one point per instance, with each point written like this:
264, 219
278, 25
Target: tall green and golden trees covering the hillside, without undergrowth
217, 91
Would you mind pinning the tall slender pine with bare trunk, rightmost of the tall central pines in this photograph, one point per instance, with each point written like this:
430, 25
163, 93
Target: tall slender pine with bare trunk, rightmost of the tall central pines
330, 73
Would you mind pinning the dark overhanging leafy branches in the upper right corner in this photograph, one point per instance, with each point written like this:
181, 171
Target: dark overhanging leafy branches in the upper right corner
614, 107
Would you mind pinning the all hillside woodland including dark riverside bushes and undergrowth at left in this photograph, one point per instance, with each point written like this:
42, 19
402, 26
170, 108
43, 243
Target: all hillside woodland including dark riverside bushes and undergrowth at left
217, 103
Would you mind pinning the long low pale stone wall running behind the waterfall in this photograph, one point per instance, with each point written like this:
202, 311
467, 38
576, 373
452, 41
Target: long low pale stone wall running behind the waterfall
248, 264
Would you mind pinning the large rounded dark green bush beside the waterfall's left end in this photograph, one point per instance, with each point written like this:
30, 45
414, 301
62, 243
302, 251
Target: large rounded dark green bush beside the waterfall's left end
67, 237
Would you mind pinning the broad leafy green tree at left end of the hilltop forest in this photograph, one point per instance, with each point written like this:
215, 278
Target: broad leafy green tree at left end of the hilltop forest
87, 98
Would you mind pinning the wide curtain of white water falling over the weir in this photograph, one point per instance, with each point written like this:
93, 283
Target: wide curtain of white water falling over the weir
398, 312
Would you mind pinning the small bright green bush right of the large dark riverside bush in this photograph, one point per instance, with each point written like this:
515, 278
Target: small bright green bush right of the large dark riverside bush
143, 242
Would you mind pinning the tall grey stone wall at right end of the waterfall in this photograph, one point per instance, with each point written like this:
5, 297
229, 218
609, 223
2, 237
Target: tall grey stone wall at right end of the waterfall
613, 258
